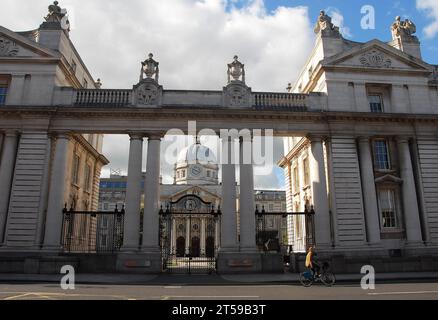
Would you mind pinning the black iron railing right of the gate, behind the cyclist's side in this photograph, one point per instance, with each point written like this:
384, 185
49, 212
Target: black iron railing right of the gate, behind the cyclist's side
275, 229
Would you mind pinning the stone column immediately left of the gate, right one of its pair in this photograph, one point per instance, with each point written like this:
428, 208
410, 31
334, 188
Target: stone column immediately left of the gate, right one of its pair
152, 195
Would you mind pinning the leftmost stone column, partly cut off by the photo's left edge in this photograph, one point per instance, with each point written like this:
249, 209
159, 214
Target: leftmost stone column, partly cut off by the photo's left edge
7, 164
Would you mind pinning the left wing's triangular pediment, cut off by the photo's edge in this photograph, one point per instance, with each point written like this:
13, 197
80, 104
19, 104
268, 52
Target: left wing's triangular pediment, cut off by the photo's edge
13, 45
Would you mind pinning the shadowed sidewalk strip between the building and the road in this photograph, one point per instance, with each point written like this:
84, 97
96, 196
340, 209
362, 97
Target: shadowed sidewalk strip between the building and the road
165, 279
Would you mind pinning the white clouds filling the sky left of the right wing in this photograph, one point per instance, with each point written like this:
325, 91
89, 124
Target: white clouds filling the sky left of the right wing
192, 39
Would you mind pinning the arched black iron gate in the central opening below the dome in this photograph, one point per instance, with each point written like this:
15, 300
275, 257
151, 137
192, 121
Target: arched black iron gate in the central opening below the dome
189, 236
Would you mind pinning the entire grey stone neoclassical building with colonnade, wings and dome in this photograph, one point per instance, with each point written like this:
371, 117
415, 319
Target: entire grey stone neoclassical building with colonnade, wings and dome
360, 129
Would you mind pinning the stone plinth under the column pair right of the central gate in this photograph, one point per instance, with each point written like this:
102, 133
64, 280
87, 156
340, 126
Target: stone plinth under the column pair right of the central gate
239, 262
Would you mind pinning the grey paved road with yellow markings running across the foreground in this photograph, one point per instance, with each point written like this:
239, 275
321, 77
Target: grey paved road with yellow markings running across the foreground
397, 291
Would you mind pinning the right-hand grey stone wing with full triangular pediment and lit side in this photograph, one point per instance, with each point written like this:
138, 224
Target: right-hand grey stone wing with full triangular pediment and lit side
379, 184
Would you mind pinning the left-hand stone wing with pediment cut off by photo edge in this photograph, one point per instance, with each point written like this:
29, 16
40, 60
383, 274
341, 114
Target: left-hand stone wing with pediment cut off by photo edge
32, 64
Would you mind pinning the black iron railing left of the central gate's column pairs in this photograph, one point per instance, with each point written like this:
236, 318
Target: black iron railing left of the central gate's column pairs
92, 232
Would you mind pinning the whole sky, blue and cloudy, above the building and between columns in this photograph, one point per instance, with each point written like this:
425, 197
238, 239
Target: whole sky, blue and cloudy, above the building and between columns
194, 40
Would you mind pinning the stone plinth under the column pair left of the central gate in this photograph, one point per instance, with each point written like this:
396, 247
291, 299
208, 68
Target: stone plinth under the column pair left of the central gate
139, 262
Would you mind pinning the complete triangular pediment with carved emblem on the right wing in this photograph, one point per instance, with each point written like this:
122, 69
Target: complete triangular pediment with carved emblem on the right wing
377, 55
